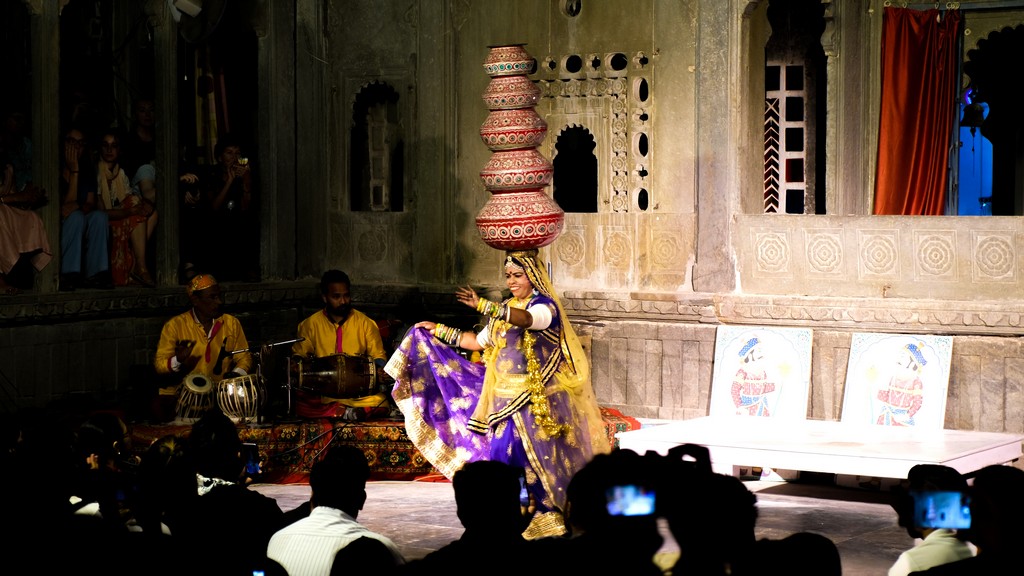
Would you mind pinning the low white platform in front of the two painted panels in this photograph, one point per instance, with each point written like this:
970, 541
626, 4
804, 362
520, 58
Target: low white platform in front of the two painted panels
827, 446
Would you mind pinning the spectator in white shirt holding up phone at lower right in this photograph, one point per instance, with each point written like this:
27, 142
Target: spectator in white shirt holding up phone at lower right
940, 546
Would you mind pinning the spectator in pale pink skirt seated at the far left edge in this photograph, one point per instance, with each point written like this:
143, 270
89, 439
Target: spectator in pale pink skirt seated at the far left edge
22, 232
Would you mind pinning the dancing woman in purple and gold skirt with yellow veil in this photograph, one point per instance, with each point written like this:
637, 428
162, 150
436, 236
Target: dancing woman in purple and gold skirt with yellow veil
530, 404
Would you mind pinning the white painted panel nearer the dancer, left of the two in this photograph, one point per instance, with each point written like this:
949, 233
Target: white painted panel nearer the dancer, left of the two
751, 359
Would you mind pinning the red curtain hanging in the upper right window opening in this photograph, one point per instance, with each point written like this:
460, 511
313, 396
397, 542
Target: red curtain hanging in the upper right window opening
920, 53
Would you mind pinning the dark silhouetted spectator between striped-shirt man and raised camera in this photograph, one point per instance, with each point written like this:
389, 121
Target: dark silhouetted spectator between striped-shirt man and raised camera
487, 499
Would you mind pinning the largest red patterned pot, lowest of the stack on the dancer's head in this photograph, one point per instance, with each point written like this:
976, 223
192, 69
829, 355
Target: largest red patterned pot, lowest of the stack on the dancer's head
520, 221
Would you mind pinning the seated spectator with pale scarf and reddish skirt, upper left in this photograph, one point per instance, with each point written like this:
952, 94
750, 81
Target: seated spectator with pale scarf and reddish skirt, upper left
129, 214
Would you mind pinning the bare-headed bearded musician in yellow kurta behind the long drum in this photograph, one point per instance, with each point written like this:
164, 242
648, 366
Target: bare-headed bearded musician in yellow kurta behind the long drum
338, 330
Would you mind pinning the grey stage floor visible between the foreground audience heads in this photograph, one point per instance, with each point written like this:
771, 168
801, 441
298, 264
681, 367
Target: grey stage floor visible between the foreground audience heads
420, 518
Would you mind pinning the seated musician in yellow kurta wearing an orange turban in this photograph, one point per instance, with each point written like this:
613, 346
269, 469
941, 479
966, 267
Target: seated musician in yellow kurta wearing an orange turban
200, 342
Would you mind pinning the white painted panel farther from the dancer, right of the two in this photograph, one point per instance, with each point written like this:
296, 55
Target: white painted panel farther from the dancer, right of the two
898, 380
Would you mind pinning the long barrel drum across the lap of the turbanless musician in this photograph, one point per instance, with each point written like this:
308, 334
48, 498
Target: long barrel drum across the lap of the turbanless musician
339, 377
